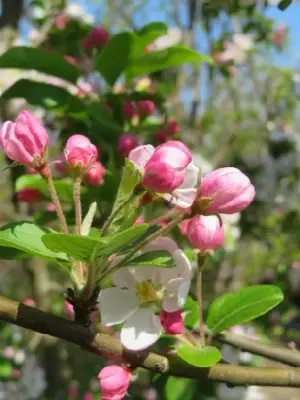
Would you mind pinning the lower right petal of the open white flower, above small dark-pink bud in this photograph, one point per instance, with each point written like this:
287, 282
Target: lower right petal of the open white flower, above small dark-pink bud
176, 294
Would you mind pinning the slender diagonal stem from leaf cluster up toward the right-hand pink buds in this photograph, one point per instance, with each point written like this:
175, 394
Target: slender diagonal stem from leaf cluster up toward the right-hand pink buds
149, 239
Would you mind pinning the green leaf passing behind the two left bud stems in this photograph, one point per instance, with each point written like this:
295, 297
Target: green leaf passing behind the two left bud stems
64, 188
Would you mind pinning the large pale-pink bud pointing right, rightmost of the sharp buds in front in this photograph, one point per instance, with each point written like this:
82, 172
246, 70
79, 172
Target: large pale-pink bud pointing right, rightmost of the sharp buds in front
228, 190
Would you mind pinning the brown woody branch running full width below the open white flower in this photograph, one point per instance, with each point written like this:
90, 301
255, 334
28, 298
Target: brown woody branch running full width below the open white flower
103, 344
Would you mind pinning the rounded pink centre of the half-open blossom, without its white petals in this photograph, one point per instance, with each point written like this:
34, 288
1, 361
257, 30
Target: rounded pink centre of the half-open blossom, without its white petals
165, 170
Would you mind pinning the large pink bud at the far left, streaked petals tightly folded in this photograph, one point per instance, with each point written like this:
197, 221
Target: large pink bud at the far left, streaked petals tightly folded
25, 140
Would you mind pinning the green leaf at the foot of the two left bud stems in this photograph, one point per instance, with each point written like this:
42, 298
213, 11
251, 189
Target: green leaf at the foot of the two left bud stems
79, 247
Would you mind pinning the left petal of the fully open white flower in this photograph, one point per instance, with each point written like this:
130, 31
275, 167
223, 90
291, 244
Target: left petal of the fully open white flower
116, 305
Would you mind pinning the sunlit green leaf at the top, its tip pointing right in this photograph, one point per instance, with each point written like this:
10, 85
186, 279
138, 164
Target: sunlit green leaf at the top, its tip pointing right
164, 59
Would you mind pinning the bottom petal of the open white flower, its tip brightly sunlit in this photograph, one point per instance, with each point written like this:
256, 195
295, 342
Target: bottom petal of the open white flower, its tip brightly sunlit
141, 330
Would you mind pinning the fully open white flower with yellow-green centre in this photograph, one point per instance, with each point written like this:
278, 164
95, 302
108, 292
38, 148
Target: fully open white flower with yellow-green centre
141, 292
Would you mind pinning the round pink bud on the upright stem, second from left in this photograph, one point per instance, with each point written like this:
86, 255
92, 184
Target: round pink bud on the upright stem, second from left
80, 152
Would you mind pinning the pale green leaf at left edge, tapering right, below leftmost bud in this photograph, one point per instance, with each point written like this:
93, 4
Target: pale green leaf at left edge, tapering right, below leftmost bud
27, 237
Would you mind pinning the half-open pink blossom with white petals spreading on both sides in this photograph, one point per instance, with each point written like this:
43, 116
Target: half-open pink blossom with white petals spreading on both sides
168, 169
